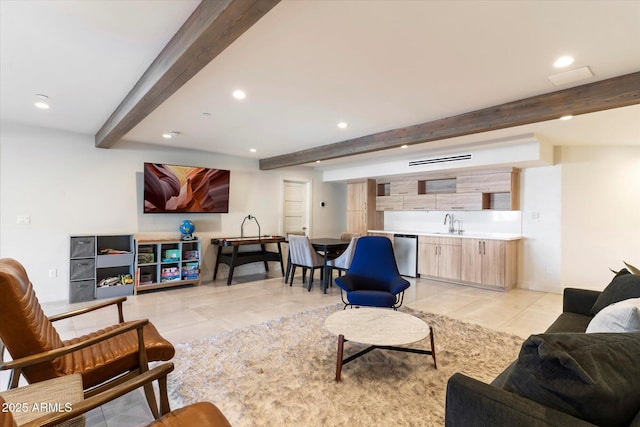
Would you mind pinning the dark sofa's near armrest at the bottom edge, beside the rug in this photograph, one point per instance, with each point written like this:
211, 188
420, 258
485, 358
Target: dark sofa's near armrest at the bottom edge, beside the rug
472, 403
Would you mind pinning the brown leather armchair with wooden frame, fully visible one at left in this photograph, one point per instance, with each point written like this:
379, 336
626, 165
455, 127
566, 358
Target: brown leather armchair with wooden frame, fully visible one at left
104, 358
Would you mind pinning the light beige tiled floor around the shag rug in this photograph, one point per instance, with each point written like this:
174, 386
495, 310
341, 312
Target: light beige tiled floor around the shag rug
184, 314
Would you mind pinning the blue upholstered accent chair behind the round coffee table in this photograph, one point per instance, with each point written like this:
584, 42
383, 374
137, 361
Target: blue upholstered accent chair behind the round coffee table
373, 279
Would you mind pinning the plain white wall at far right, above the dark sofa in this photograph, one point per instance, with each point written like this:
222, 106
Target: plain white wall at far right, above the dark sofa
600, 213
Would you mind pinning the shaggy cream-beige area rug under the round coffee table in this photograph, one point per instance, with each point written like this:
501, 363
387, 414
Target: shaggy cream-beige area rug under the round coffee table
282, 373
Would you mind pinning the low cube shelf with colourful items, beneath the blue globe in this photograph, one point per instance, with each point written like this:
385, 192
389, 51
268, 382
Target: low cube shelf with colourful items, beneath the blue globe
167, 263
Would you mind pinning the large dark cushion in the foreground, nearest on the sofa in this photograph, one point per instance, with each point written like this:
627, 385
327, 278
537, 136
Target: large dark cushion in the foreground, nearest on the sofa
594, 377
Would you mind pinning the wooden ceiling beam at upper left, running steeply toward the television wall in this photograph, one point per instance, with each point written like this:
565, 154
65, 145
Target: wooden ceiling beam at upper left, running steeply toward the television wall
210, 29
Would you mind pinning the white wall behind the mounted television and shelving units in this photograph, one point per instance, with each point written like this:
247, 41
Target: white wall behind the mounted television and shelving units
69, 187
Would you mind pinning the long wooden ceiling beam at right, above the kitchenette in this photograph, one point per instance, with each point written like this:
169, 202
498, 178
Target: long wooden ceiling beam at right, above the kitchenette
603, 95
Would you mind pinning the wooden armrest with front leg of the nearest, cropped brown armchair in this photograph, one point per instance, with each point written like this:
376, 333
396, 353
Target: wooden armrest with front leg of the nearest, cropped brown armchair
78, 408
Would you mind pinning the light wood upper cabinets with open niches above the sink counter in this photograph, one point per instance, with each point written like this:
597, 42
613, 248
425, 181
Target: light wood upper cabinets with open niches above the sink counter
495, 189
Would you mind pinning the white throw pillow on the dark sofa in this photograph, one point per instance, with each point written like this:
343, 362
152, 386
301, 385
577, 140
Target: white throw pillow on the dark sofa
623, 316
